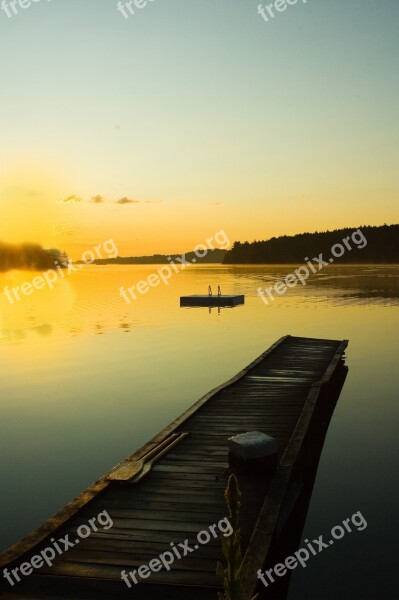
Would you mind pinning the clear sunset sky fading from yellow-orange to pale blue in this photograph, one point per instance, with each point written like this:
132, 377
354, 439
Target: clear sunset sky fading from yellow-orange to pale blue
195, 116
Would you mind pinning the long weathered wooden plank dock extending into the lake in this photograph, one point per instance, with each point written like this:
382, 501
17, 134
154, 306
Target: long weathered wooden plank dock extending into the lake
289, 392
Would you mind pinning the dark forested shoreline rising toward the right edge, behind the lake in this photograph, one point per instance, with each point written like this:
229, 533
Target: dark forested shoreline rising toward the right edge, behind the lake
382, 247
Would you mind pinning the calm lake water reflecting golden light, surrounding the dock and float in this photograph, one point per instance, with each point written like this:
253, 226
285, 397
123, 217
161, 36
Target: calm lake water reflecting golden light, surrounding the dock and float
87, 378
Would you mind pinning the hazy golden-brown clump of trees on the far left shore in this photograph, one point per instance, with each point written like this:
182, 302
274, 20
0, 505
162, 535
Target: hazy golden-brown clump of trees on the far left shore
29, 256
